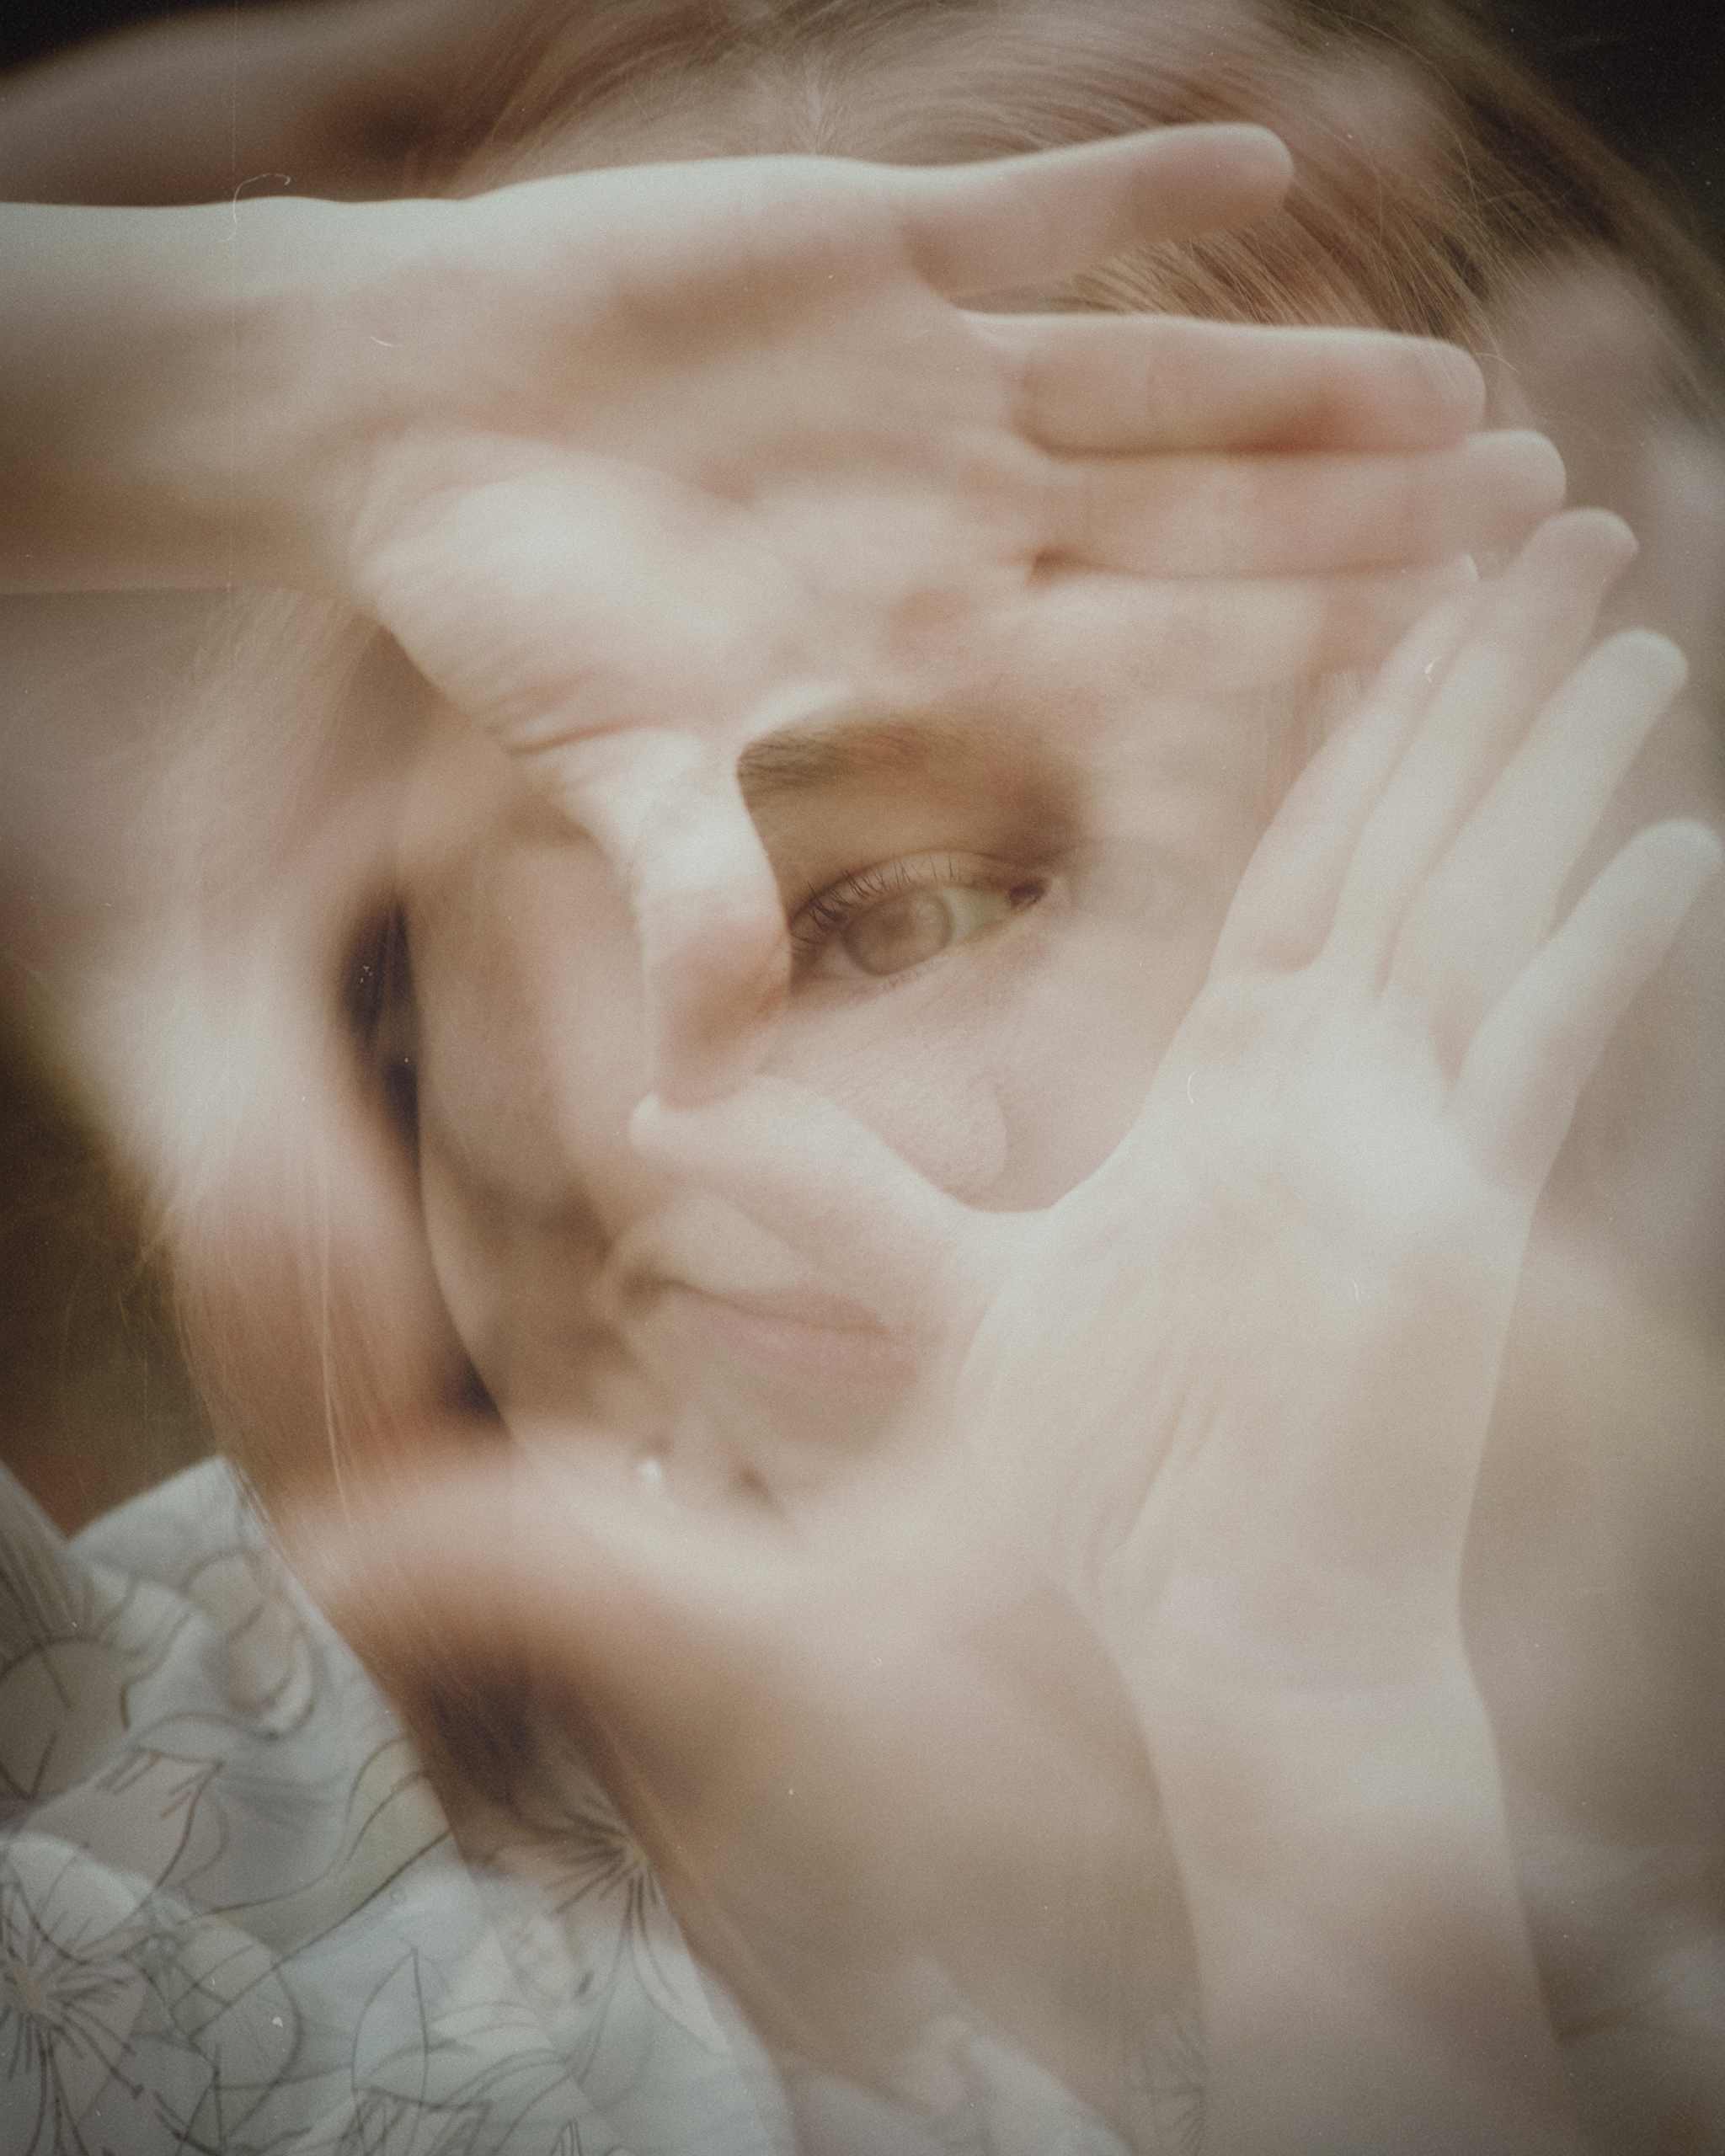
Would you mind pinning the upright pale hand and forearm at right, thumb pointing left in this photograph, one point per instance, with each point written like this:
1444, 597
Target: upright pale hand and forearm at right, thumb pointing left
1237, 1385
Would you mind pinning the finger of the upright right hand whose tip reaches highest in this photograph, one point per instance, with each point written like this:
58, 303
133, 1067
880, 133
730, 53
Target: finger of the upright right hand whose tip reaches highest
1530, 633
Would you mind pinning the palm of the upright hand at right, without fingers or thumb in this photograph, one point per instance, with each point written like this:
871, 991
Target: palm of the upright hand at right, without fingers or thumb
1291, 1247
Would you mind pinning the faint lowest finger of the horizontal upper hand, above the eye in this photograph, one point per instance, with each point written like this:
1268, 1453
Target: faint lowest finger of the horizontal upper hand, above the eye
1222, 635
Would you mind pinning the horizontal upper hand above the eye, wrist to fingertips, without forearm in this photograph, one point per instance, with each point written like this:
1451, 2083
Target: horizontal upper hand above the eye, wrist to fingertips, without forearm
678, 456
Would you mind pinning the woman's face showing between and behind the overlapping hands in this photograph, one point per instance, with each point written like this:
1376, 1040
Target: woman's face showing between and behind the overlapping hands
995, 937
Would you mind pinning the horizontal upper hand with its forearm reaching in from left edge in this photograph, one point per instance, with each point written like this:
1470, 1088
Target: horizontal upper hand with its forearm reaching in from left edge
497, 426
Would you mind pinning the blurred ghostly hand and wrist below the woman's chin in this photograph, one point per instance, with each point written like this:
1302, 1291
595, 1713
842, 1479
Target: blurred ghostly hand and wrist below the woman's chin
853, 1756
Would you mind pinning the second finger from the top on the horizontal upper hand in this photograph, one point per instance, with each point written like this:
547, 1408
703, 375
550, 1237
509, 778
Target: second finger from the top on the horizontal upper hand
1155, 383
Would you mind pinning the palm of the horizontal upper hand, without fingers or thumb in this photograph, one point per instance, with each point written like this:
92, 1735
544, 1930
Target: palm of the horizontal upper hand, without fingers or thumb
680, 510
